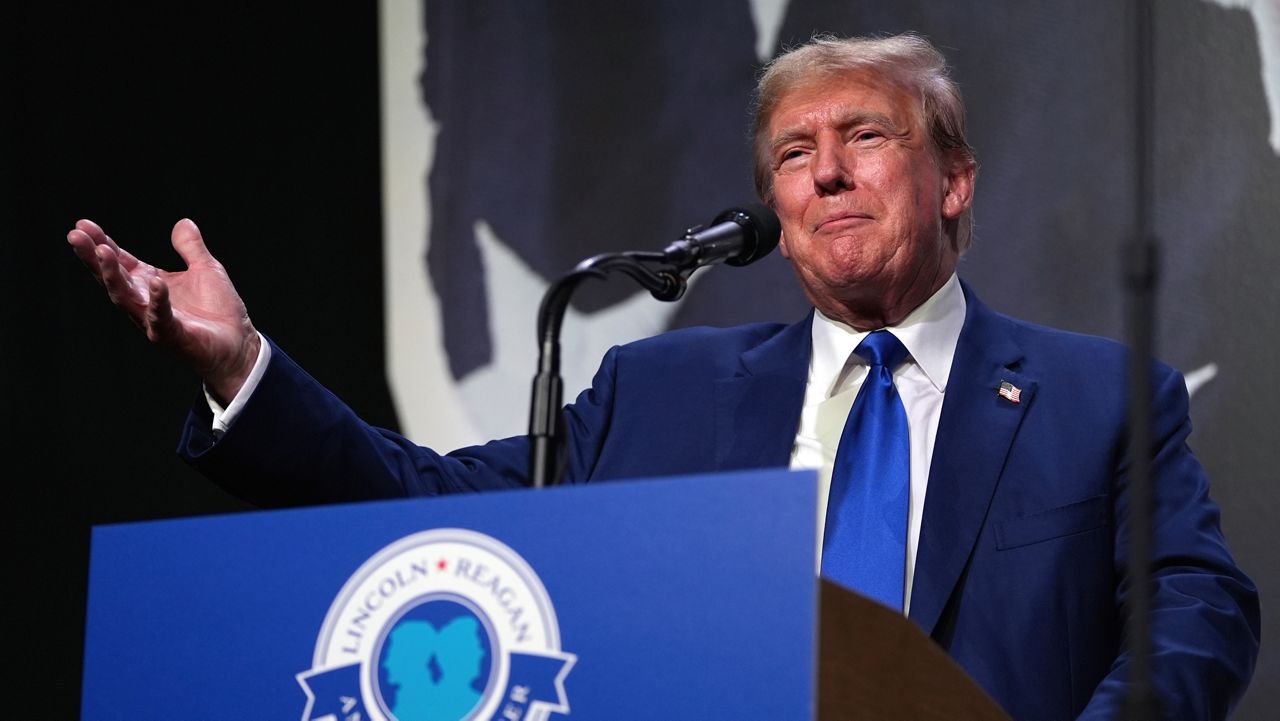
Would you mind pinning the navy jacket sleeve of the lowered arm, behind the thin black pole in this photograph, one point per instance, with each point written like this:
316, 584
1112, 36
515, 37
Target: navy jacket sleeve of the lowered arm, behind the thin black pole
1205, 612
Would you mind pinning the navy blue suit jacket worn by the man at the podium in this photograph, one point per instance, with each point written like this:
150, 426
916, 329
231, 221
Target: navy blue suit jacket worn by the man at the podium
1022, 565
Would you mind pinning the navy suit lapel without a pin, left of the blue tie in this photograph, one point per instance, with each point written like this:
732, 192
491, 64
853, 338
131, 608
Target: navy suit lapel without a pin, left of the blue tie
758, 407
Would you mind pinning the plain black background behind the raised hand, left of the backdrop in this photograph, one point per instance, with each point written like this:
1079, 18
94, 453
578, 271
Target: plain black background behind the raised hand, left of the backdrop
258, 122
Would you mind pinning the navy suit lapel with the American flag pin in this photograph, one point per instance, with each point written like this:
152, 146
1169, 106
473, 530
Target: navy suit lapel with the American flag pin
975, 435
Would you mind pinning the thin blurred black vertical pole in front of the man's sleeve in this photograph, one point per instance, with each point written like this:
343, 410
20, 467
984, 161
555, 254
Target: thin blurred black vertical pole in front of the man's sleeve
1141, 270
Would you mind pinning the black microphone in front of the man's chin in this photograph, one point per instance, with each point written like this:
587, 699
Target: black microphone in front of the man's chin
738, 236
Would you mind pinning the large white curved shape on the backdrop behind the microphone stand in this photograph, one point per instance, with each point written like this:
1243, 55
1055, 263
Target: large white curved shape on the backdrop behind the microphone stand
491, 403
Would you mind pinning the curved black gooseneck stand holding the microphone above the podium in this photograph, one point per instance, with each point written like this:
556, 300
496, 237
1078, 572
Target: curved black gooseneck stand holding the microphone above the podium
666, 280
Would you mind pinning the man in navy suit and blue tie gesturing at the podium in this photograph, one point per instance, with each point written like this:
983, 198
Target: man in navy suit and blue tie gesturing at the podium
1011, 517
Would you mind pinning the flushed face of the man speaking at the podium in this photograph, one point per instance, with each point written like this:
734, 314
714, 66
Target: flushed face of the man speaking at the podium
863, 199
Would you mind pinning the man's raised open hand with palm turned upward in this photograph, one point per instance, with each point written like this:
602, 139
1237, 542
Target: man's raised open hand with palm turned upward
196, 313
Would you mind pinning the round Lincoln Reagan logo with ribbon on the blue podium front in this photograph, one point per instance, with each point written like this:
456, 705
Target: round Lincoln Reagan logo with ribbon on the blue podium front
442, 626
